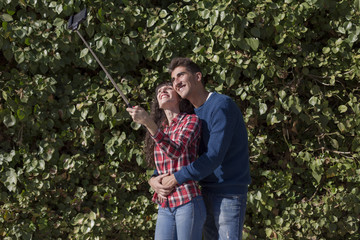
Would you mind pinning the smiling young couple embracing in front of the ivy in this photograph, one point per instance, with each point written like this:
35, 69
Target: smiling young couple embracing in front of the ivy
212, 152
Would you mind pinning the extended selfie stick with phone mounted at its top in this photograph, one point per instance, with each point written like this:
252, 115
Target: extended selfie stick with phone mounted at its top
73, 24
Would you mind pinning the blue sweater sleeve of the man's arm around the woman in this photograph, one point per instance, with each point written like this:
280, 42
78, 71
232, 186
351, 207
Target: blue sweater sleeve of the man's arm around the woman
222, 121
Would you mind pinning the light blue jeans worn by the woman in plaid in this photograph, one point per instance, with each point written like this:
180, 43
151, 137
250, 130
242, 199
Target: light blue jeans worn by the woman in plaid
184, 222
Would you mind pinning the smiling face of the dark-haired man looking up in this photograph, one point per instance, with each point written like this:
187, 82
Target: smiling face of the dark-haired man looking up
183, 81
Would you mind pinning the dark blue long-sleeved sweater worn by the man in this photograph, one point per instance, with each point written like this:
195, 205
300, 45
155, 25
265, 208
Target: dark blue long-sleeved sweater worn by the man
223, 163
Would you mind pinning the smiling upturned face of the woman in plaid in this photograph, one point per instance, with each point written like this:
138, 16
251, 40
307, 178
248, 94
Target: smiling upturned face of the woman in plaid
167, 97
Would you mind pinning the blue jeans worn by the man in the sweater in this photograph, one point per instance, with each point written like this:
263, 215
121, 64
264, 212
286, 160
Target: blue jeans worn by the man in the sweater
225, 216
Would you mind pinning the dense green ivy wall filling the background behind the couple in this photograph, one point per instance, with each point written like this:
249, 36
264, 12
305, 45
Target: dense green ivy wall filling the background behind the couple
71, 160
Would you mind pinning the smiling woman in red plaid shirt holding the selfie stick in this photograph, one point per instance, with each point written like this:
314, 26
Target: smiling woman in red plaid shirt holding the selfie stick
172, 142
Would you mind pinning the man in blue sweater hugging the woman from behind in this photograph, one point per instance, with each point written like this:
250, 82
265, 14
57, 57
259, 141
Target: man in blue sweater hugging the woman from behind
222, 167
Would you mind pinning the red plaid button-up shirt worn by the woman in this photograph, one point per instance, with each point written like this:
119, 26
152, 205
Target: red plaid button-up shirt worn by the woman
177, 146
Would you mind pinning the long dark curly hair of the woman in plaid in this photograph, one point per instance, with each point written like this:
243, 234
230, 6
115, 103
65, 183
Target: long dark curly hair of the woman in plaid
158, 115
